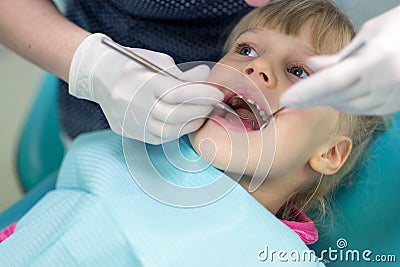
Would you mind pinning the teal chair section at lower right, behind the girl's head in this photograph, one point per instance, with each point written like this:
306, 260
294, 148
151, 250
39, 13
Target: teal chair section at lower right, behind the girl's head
367, 218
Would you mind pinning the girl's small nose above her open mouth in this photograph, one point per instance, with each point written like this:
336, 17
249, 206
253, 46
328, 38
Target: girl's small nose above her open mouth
260, 72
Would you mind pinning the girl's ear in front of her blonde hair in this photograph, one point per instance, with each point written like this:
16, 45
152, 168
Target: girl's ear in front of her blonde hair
331, 161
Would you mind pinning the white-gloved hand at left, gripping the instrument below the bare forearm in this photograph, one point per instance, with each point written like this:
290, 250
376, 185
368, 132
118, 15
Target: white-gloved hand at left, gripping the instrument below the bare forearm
158, 108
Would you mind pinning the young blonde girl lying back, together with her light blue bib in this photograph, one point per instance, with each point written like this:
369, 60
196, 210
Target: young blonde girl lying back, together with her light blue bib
288, 167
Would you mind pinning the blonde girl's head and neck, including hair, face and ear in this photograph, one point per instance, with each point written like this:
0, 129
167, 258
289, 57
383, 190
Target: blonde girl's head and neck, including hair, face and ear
314, 148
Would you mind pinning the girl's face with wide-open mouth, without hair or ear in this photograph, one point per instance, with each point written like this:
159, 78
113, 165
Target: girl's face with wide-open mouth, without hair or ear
266, 63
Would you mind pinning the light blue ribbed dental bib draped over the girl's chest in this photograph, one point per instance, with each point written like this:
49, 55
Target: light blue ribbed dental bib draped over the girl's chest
99, 216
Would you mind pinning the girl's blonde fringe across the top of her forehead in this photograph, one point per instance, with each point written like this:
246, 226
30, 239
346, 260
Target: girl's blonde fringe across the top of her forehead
331, 29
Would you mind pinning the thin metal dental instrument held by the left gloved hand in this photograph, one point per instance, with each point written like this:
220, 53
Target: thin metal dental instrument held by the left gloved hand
144, 62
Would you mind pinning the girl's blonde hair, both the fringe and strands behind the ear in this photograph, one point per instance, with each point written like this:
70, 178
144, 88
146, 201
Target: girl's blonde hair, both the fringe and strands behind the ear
331, 32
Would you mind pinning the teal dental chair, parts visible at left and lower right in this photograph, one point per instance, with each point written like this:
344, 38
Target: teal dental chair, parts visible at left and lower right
367, 218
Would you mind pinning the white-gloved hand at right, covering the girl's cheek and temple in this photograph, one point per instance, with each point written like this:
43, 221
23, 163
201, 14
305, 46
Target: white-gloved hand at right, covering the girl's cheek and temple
366, 83
